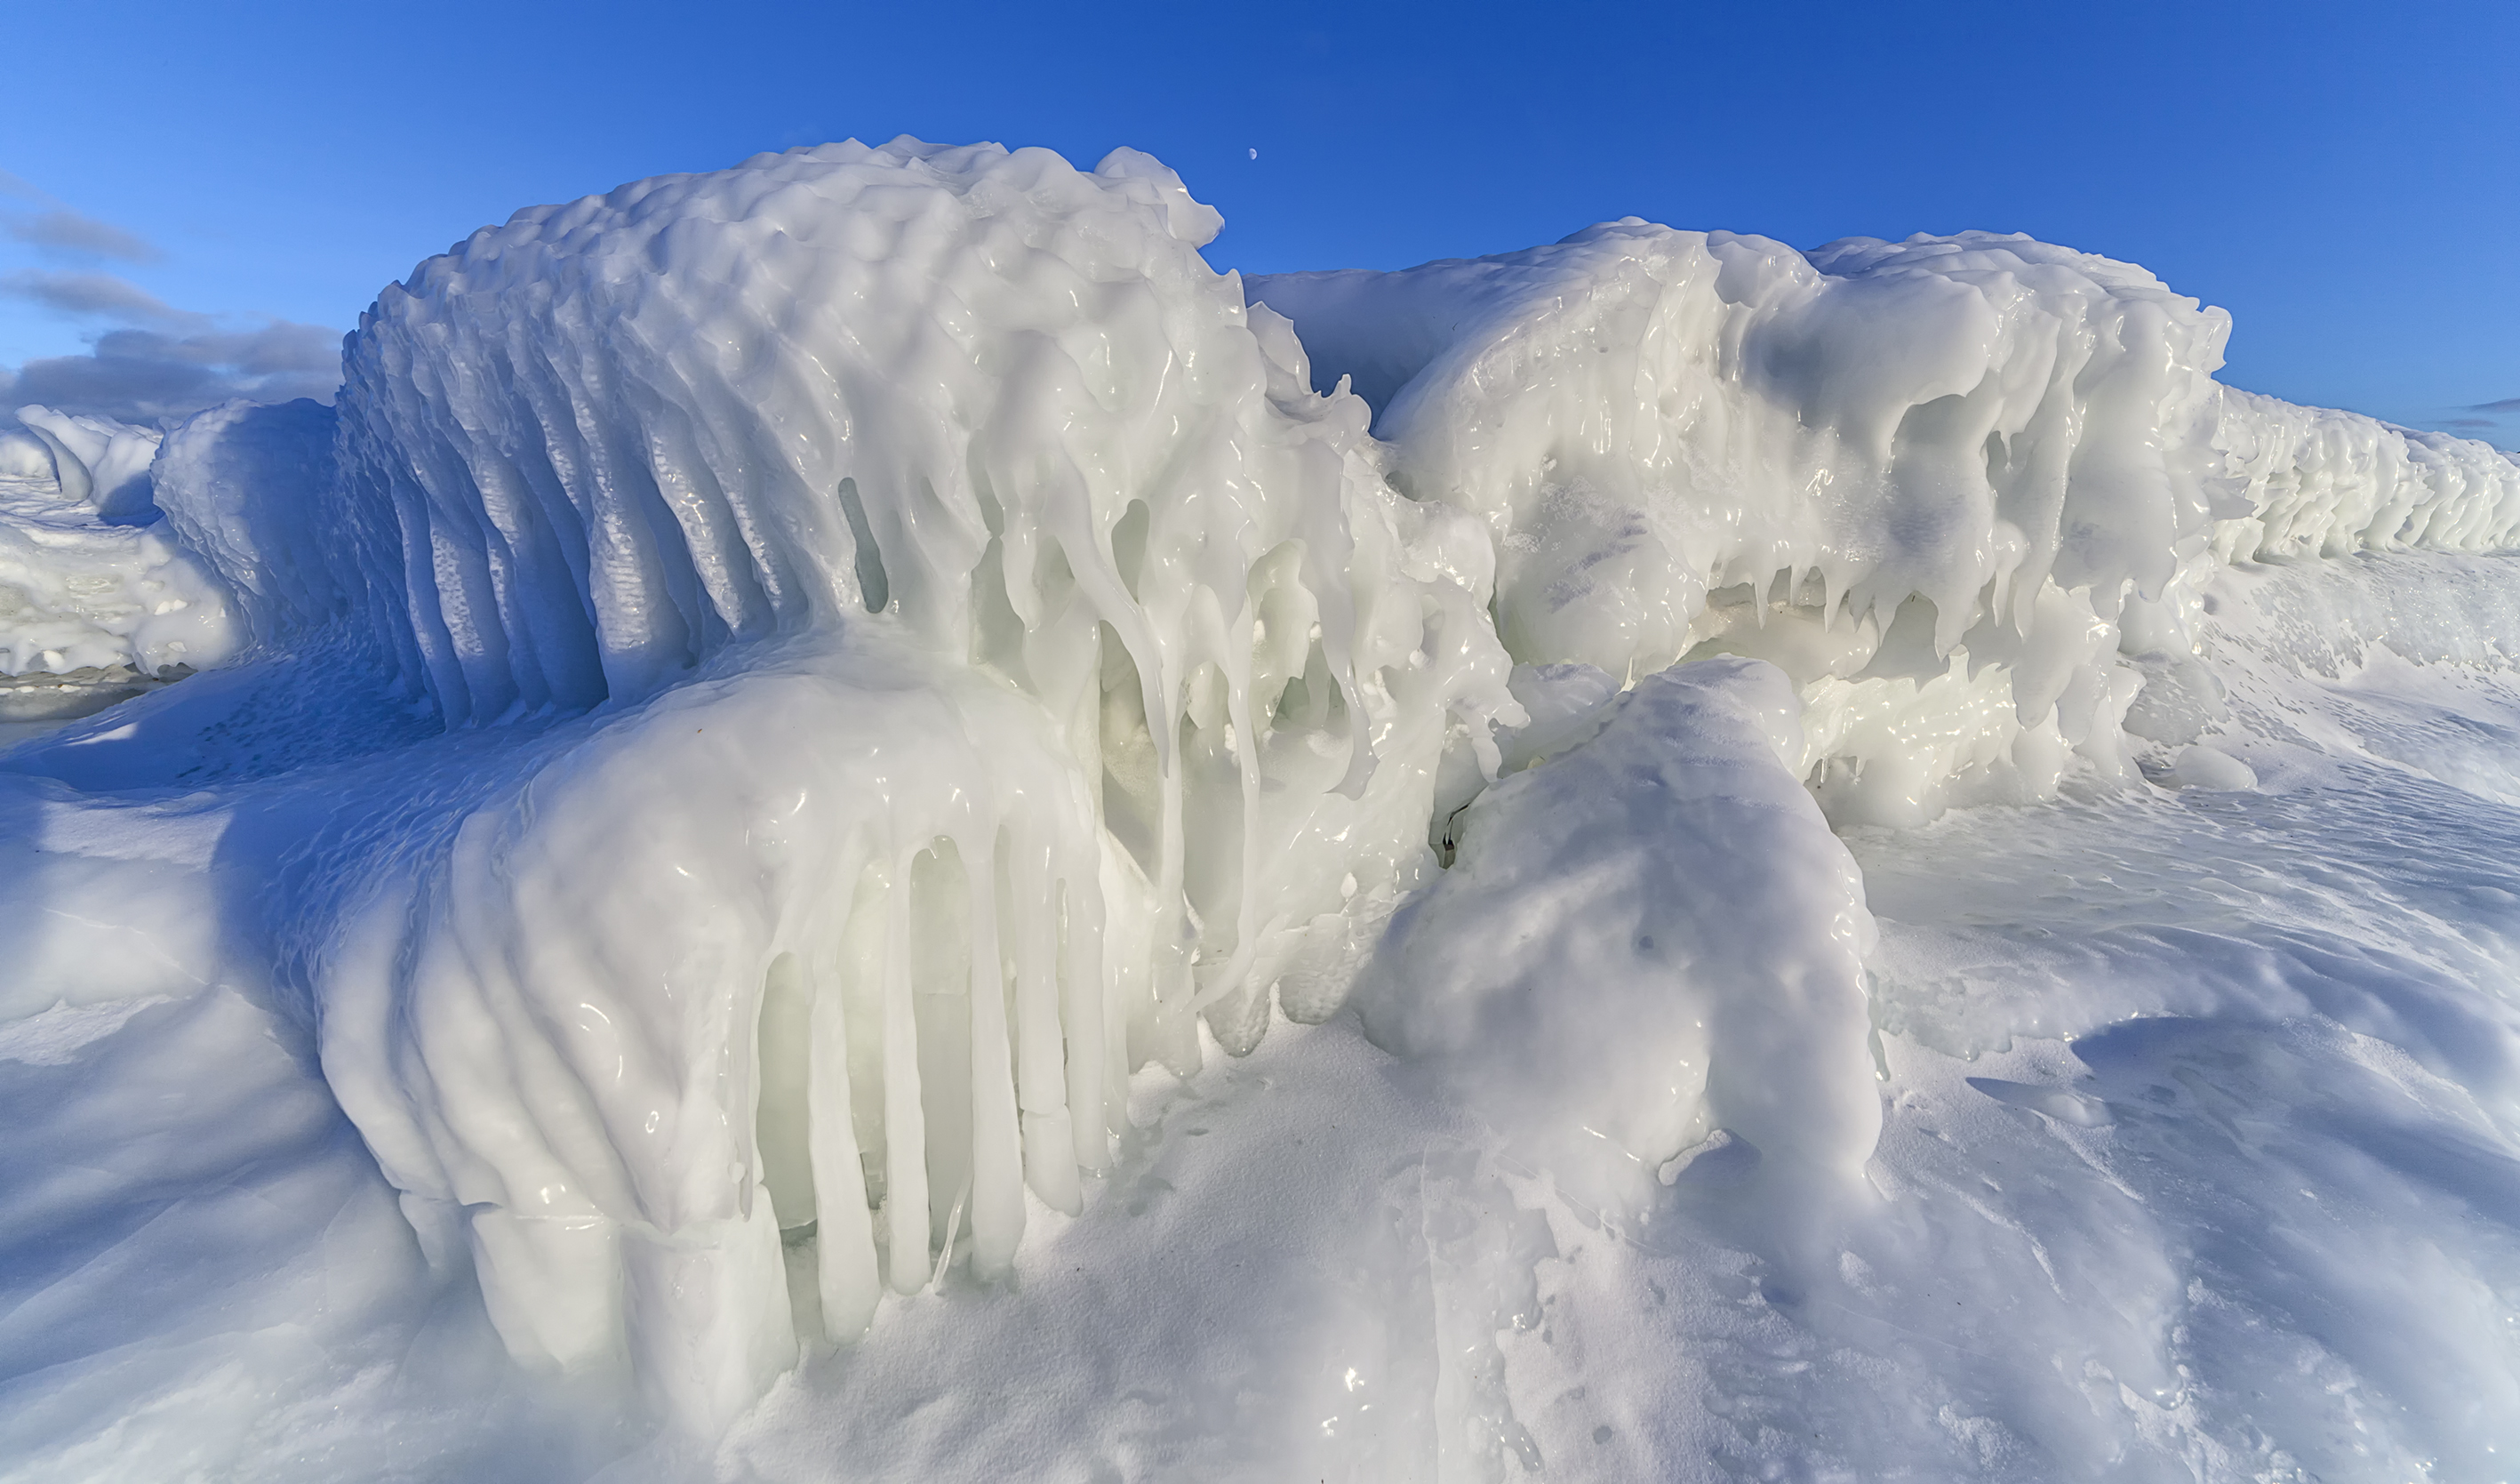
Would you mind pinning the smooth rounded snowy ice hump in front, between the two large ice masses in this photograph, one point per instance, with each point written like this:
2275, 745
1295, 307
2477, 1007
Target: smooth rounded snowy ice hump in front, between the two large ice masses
1649, 944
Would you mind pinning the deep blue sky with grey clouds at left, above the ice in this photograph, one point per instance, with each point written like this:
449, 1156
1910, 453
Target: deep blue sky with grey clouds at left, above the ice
205, 198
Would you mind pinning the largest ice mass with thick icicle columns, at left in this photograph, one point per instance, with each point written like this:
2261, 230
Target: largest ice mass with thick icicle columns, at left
1004, 661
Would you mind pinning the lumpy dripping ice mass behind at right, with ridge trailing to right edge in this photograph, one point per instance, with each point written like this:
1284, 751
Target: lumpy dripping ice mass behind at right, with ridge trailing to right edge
1942, 482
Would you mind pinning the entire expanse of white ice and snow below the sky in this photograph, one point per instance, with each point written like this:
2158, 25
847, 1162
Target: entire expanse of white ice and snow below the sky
745, 908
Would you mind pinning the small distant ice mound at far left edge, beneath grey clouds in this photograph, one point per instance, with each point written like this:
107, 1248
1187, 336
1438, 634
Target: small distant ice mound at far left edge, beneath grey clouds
97, 596
